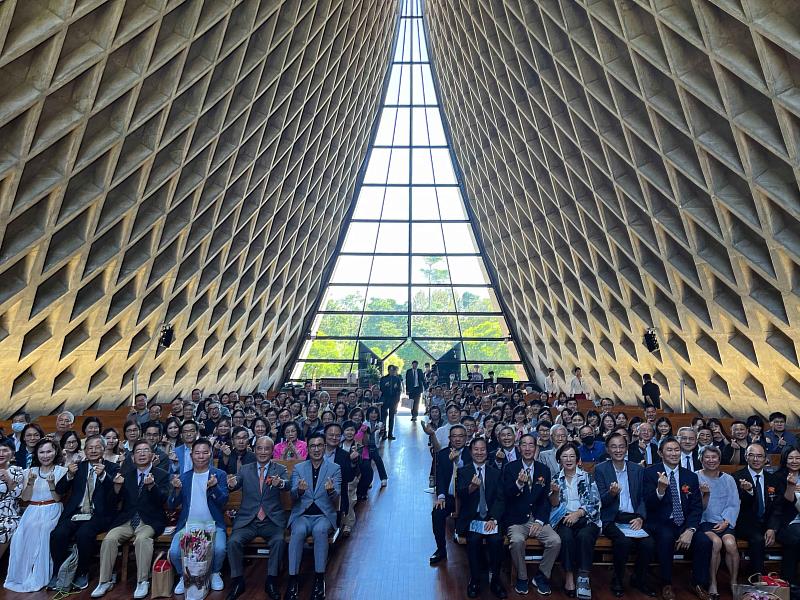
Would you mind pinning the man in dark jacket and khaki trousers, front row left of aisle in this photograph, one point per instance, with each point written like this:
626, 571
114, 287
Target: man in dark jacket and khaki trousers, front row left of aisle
142, 491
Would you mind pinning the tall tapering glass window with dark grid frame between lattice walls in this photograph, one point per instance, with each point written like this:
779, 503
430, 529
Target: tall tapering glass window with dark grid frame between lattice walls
409, 281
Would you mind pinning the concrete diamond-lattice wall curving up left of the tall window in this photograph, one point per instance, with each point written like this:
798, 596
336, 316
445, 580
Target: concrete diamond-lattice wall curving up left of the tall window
166, 160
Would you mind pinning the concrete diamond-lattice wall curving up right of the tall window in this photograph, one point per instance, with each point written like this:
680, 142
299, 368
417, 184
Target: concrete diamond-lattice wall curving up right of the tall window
635, 163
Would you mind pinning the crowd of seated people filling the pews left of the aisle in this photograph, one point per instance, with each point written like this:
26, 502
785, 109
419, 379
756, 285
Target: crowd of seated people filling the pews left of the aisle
180, 463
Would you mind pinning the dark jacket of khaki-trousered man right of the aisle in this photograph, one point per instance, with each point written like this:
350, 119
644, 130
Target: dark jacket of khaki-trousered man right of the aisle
532, 501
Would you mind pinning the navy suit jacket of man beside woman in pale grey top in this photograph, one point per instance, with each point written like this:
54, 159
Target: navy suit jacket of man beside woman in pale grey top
659, 511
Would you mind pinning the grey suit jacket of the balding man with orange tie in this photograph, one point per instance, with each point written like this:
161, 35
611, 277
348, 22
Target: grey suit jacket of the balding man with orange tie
254, 495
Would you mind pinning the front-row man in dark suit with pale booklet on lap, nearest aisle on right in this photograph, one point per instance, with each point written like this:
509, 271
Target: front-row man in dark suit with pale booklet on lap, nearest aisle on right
478, 486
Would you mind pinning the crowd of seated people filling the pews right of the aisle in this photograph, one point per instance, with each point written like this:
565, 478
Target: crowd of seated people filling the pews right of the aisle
515, 465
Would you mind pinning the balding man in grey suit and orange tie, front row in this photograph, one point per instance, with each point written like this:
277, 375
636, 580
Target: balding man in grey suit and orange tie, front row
260, 515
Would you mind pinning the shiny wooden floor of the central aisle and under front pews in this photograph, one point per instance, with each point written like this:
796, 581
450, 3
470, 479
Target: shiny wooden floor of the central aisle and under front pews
387, 556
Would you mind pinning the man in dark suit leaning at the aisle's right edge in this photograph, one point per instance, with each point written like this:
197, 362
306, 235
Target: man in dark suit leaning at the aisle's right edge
448, 461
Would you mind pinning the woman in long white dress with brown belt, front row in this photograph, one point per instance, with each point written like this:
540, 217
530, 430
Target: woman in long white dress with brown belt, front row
29, 563
